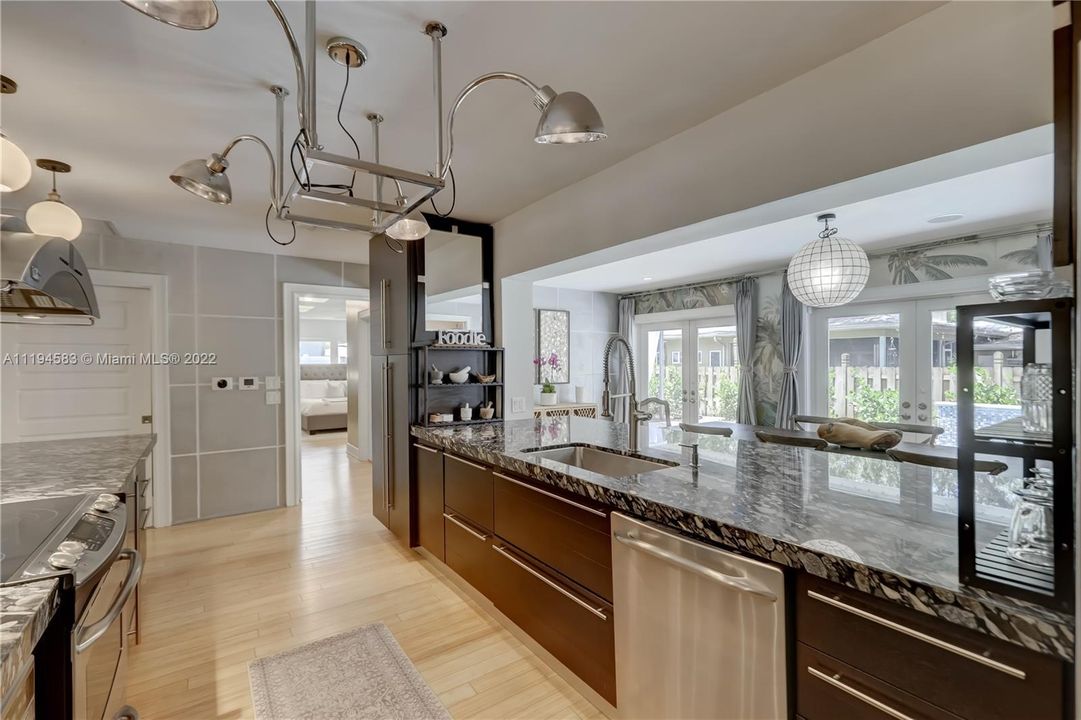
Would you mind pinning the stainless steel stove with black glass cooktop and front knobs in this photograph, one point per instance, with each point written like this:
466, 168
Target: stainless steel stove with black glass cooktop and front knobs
84, 538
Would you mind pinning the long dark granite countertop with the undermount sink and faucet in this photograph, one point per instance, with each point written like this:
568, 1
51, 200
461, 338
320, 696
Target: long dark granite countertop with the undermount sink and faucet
877, 526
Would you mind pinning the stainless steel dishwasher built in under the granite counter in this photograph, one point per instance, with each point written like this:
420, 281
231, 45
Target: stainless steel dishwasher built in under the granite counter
700, 633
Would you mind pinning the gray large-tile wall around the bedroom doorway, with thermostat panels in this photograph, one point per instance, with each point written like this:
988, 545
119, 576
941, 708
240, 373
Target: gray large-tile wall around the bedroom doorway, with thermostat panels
228, 448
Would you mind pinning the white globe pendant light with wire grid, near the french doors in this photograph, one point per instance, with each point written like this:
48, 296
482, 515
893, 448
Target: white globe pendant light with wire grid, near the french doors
829, 272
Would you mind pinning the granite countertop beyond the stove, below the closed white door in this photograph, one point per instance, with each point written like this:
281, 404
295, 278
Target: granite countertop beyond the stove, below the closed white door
48, 469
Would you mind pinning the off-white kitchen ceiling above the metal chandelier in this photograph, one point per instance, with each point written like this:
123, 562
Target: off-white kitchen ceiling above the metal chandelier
126, 100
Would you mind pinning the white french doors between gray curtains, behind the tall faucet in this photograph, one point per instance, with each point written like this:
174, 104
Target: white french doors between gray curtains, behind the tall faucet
691, 365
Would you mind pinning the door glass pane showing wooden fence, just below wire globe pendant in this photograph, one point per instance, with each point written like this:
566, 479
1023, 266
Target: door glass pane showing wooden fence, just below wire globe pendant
864, 368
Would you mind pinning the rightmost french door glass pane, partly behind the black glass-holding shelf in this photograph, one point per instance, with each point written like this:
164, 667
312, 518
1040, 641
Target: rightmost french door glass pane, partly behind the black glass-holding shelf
998, 371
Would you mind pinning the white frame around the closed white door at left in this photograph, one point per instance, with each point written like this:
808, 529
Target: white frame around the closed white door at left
162, 512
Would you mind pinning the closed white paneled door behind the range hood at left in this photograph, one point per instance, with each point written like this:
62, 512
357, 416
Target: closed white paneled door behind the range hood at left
81, 399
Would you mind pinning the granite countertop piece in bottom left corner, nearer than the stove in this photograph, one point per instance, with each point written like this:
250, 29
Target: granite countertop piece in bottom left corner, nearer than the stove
25, 611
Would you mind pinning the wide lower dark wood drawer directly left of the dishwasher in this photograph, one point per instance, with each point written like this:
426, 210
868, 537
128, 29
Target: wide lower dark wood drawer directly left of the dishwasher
570, 623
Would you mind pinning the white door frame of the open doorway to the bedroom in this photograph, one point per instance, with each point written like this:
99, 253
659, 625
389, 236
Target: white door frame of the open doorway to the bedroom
291, 317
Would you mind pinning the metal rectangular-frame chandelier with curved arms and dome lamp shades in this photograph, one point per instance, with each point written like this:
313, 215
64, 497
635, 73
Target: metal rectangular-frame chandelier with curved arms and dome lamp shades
566, 118
